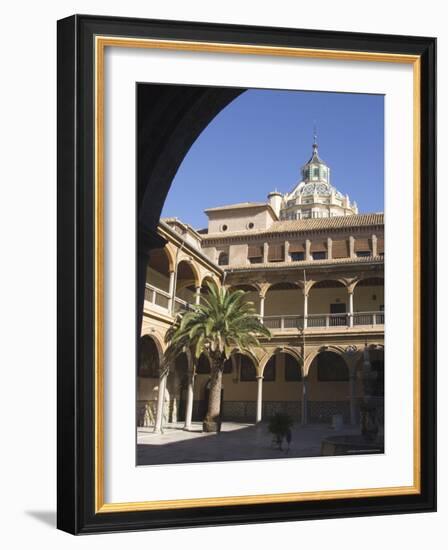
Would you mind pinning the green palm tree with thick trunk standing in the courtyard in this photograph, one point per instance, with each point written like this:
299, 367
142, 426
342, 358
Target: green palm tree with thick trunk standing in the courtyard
223, 322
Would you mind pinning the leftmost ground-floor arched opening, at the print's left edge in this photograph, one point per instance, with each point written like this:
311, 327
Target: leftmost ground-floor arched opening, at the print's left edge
148, 370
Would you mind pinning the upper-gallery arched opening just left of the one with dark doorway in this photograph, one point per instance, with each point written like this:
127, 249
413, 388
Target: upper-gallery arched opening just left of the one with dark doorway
283, 306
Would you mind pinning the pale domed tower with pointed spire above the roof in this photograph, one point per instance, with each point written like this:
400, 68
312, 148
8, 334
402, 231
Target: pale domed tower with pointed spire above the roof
314, 196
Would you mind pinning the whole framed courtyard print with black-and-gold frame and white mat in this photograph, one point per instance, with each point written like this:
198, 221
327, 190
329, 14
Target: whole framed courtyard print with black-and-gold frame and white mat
246, 274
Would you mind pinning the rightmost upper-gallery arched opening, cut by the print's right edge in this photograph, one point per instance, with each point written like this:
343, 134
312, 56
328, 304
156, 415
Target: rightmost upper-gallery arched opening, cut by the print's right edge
368, 302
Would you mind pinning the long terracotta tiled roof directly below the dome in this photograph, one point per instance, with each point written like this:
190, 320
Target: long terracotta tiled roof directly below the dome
312, 224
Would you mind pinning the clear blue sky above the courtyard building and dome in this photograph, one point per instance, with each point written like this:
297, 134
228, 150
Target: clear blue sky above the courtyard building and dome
260, 141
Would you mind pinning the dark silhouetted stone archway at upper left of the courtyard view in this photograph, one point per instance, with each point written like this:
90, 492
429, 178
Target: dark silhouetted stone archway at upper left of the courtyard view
169, 120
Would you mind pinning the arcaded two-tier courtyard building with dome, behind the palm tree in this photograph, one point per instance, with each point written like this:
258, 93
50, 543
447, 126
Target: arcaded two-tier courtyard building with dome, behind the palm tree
314, 269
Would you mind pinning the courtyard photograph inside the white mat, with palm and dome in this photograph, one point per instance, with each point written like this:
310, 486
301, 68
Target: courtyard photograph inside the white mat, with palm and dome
261, 333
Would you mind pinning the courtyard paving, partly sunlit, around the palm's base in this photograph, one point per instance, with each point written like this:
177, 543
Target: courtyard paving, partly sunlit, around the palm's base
236, 441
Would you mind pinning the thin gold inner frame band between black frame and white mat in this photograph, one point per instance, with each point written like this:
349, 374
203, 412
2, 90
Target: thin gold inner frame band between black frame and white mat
101, 42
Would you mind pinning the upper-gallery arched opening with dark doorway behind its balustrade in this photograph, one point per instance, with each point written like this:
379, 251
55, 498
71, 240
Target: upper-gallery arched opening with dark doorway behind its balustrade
327, 304
